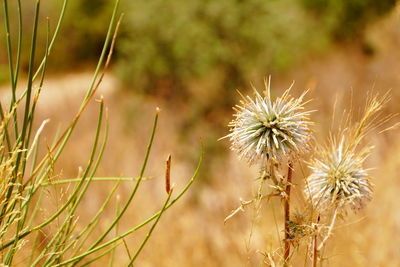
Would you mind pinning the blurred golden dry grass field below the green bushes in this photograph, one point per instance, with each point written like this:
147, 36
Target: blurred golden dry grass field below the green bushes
193, 233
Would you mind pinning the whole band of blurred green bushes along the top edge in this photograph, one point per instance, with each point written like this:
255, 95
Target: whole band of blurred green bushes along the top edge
167, 46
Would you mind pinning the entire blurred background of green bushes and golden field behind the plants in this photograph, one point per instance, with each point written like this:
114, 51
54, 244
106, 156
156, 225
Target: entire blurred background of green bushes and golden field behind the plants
189, 58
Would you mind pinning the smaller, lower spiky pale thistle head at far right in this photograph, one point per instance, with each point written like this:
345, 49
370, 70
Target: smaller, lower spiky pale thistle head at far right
338, 179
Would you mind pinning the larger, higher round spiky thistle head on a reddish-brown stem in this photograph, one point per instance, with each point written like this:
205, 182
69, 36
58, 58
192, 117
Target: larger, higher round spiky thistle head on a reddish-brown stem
265, 129
